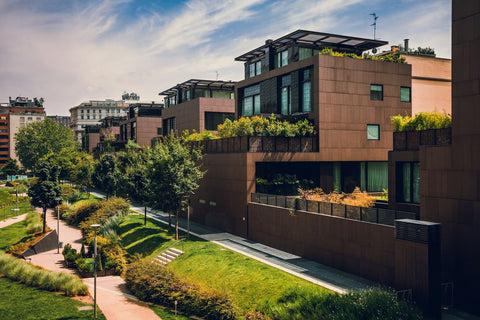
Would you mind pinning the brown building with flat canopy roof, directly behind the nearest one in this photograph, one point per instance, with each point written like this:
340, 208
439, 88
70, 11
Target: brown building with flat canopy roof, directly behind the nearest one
197, 105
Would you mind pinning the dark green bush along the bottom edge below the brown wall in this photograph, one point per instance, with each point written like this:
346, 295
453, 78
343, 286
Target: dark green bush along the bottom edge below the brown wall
296, 303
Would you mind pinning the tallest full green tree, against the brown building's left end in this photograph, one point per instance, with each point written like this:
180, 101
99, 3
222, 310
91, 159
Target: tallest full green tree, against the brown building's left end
174, 173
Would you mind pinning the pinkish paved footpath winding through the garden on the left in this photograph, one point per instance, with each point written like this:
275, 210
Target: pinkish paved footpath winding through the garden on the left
113, 297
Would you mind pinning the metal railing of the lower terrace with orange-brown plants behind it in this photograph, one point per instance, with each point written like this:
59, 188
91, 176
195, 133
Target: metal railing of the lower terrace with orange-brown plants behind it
366, 214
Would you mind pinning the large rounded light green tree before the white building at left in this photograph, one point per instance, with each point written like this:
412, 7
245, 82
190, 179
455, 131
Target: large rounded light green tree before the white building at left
40, 138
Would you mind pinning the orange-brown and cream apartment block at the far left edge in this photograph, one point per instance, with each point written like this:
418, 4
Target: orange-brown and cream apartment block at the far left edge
16, 114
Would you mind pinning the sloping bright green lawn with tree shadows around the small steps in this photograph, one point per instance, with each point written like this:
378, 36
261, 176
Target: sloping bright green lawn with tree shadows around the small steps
246, 281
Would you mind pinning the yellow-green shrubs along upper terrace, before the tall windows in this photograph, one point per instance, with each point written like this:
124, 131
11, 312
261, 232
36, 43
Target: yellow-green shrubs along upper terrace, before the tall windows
255, 126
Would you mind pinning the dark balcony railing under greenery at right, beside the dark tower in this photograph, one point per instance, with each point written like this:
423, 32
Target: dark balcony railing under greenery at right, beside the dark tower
412, 140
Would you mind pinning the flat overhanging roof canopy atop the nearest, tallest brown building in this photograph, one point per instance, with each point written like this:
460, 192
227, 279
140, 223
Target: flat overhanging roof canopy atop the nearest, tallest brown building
317, 40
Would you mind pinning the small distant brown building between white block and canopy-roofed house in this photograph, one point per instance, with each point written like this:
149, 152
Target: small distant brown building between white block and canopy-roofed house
143, 122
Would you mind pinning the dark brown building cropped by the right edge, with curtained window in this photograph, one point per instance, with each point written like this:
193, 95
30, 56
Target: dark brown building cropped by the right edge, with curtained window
437, 172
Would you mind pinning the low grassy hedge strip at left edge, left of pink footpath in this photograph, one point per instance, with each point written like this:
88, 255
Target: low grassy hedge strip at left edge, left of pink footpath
33, 276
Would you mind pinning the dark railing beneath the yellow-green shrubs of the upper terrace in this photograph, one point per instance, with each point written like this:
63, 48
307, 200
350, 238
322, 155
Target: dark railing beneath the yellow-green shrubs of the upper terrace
260, 144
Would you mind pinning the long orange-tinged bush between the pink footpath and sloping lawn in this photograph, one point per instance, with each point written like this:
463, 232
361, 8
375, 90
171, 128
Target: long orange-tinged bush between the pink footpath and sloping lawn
154, 283
